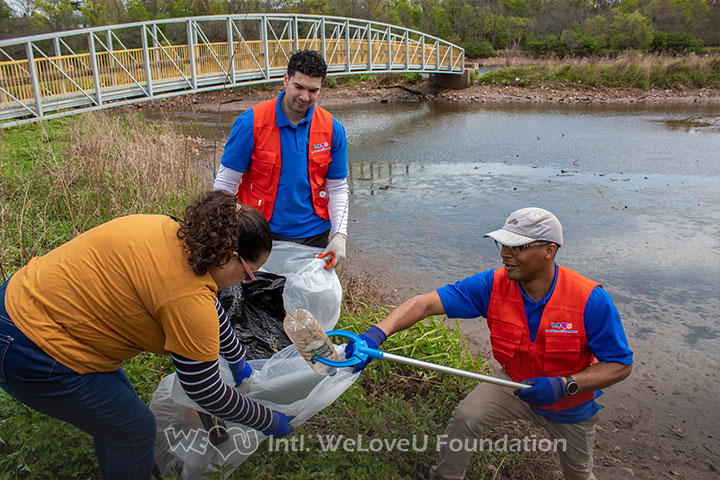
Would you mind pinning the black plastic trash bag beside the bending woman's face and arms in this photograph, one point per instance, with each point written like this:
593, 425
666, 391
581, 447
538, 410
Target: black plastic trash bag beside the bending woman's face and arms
256, 311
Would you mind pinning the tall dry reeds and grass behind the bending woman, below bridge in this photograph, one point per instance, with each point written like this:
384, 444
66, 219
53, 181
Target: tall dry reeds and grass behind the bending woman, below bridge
60, 178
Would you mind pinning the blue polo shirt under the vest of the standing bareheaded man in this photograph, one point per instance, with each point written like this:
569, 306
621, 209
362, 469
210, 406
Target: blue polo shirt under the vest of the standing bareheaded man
293, 215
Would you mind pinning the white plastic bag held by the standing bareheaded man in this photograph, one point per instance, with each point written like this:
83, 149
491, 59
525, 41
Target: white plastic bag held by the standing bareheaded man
308, 284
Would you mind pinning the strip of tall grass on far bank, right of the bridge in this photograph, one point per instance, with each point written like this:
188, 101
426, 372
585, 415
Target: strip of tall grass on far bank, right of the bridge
654, 73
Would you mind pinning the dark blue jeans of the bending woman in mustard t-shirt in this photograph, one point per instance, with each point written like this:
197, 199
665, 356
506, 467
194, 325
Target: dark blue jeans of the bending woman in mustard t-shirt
104, 405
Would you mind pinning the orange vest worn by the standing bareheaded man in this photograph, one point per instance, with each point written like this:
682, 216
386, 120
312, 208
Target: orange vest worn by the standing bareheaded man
259, 184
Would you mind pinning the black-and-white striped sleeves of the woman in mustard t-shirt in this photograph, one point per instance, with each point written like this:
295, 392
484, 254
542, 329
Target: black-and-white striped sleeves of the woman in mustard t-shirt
203, 384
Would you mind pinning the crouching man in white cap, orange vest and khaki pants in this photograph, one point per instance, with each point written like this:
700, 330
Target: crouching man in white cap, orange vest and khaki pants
550, 327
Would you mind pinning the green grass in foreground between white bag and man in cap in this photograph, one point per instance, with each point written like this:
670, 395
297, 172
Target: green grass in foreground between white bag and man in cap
390, 402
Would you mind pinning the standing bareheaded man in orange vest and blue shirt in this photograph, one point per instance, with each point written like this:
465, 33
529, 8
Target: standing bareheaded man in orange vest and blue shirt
287, 157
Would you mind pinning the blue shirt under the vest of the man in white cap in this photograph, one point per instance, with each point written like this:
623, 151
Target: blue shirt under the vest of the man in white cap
470, 298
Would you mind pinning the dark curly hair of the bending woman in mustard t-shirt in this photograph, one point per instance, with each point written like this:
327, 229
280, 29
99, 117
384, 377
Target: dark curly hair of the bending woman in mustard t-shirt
216, 225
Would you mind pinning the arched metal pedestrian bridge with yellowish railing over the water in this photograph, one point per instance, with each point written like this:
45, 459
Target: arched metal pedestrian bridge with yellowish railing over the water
62, 73
